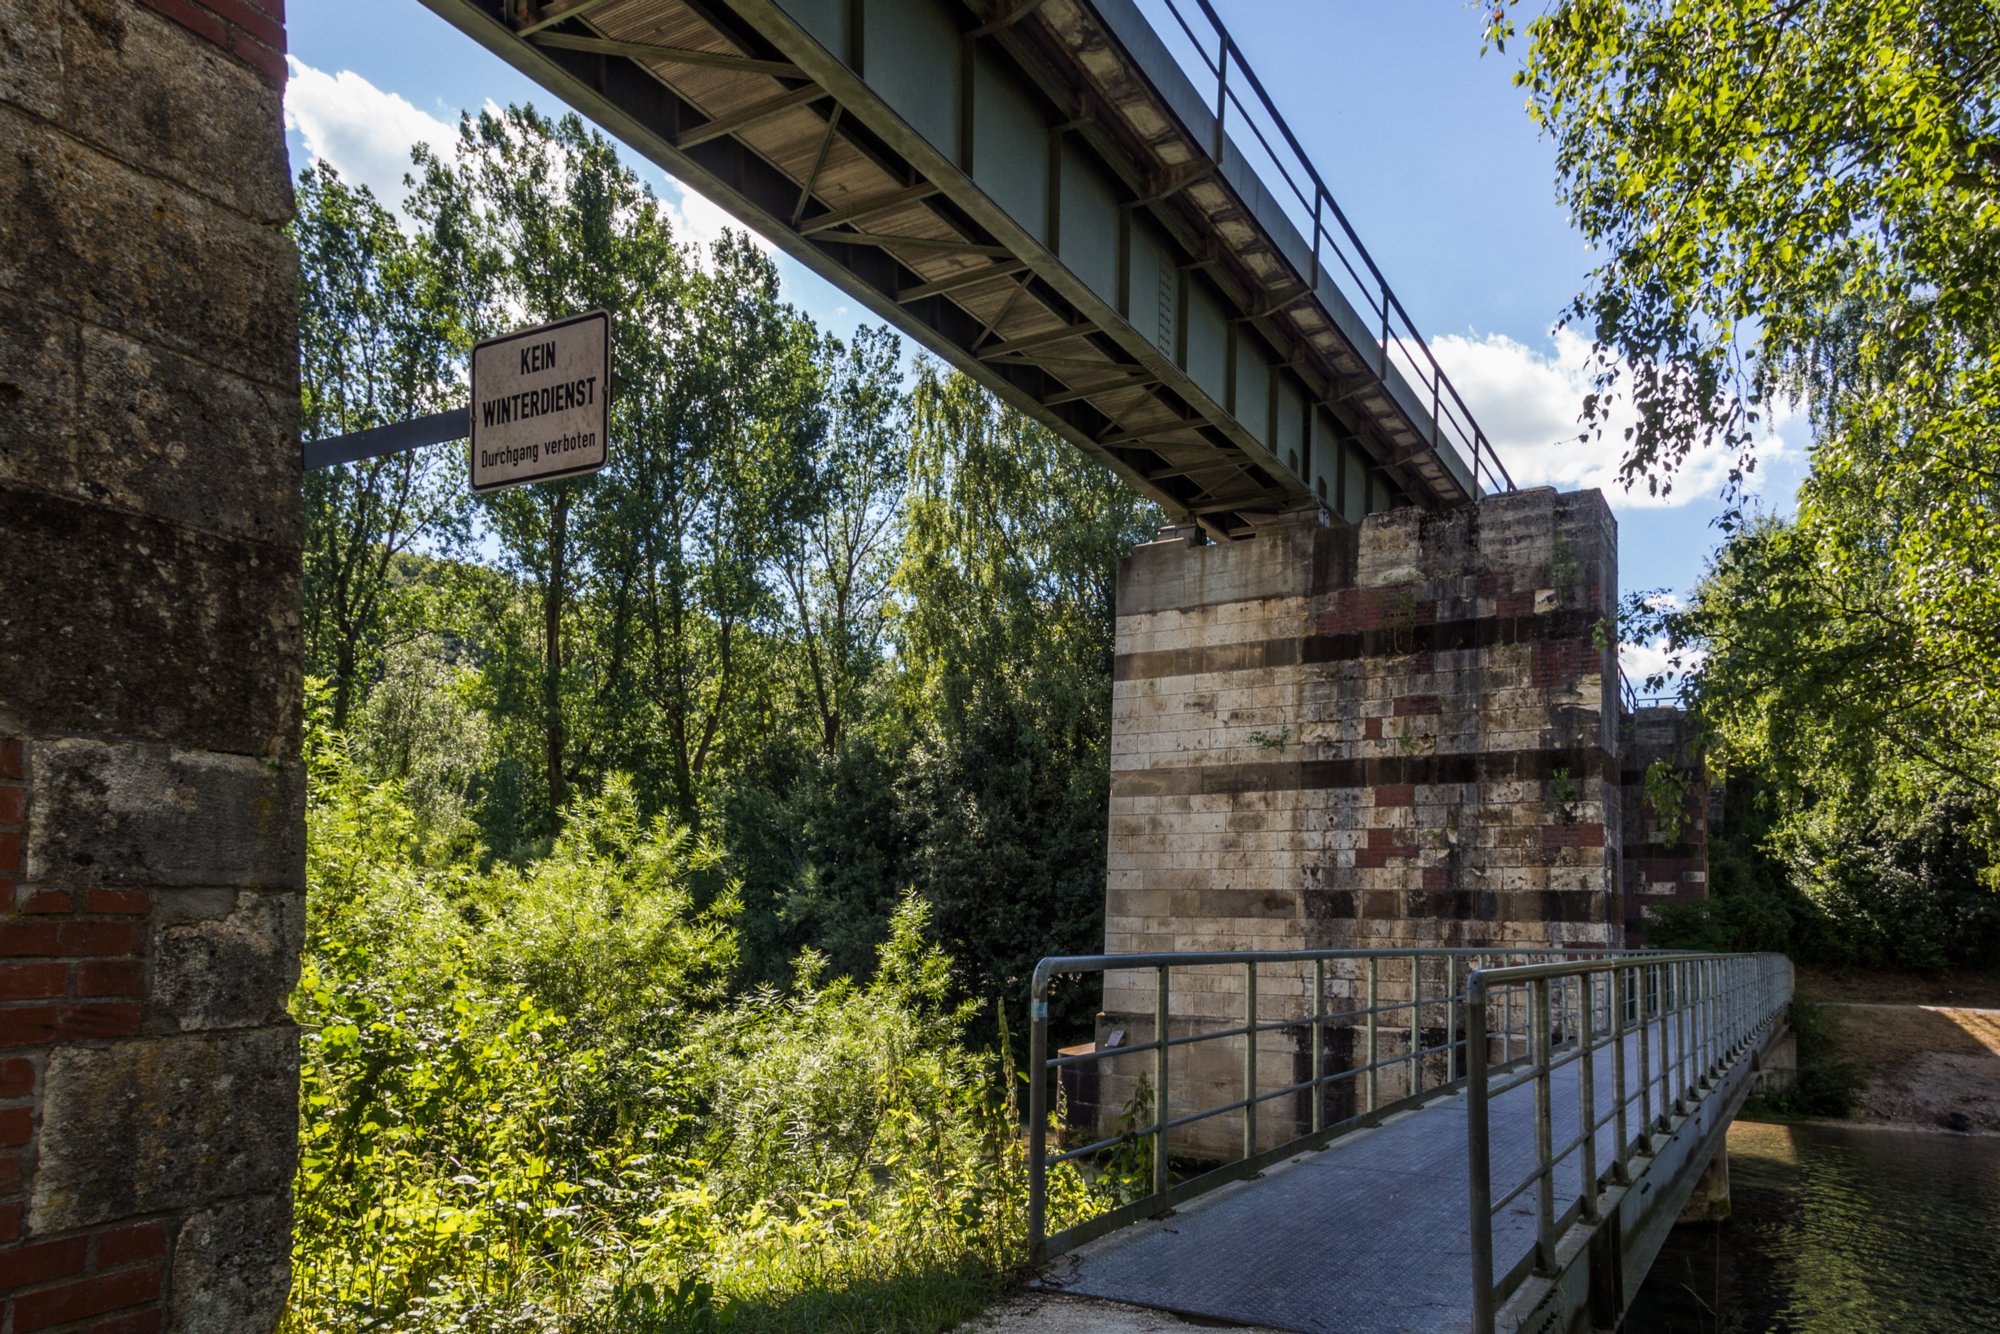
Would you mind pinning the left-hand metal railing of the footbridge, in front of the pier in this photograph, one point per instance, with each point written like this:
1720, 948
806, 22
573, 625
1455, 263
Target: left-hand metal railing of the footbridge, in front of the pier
1247, 1059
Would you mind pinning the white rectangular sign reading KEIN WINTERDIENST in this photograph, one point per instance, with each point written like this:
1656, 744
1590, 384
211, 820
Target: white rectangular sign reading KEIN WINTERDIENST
543, 403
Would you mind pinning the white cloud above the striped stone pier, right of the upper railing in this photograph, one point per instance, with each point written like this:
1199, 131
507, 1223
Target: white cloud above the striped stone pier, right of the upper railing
1531, 405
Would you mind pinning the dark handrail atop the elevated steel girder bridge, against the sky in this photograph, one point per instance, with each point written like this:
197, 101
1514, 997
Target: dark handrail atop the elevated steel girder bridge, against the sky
1397, 329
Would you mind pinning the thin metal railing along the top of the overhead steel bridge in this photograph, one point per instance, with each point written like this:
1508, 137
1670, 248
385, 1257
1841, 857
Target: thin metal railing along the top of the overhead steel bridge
1337, 247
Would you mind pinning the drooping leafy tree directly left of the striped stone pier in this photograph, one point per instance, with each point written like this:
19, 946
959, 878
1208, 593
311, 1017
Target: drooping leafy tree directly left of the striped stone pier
1005, 643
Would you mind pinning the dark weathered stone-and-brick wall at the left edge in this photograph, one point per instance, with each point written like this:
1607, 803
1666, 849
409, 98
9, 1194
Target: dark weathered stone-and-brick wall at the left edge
151, 793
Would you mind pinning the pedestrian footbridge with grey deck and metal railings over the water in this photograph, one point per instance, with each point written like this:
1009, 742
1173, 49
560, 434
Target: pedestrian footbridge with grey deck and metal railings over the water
1411, 1141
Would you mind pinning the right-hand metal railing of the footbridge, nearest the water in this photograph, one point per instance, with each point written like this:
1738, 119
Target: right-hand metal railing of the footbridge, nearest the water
1667, 1025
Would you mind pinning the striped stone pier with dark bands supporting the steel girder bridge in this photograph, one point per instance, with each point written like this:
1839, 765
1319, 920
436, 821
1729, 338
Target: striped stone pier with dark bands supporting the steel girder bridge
1401, 733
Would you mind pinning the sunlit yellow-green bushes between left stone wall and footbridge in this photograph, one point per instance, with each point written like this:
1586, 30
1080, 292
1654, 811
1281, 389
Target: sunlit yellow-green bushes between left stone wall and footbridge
531, 1105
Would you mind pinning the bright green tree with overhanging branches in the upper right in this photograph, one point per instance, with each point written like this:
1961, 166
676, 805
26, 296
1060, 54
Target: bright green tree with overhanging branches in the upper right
1801, 201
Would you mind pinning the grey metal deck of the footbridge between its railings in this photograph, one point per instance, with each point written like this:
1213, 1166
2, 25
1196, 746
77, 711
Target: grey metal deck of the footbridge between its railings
1363, 1237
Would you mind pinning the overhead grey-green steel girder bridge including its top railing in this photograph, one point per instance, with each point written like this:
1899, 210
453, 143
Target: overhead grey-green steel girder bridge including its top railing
1041, 195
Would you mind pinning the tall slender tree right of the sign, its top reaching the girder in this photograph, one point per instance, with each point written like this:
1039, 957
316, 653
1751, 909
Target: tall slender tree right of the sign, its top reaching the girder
727, 425
